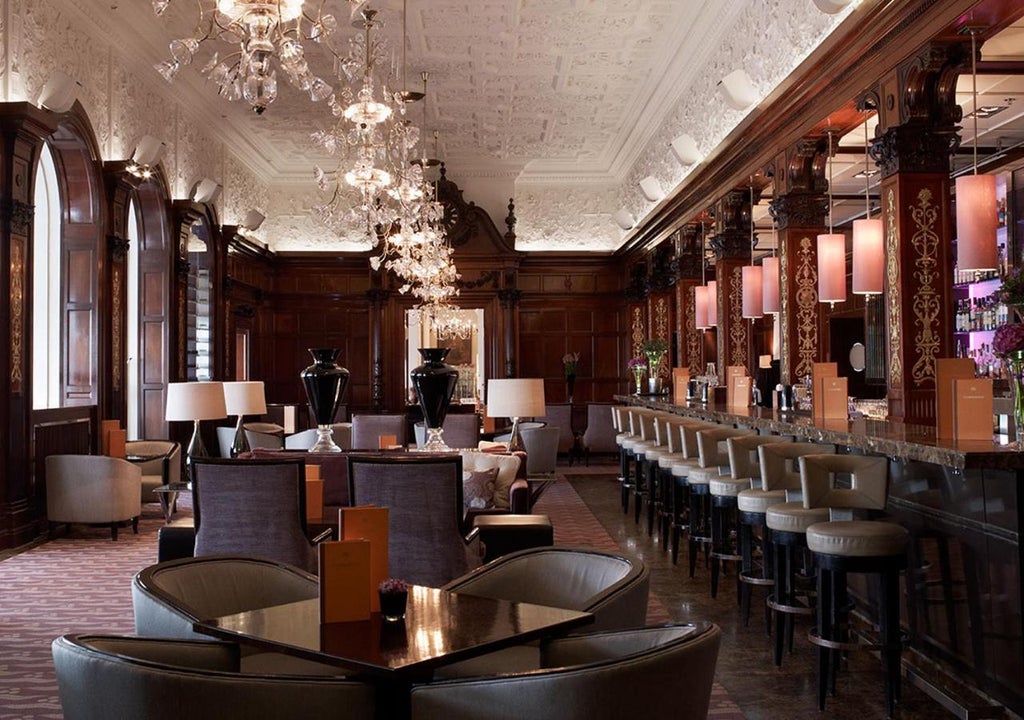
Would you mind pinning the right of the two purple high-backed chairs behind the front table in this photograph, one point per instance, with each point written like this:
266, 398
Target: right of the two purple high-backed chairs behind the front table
430, 541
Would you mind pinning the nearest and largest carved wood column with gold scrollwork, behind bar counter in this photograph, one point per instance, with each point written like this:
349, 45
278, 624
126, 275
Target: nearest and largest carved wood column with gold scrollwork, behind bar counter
918, 116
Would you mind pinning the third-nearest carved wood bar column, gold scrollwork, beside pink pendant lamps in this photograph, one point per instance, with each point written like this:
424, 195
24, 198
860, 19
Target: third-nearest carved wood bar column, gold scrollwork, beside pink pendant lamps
732, 244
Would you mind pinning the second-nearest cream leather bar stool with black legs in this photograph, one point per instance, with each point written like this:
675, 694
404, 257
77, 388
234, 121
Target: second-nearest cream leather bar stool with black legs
788, 524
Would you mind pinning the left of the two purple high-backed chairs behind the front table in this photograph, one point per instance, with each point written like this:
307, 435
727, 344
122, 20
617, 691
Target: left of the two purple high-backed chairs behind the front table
252, 507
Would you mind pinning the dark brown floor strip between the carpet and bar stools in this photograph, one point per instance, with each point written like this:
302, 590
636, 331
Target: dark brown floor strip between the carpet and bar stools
746, 668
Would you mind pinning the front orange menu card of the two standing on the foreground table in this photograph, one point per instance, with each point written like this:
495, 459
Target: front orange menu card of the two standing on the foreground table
345, 567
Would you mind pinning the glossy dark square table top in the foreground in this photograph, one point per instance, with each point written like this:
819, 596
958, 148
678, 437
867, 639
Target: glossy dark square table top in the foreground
440, 628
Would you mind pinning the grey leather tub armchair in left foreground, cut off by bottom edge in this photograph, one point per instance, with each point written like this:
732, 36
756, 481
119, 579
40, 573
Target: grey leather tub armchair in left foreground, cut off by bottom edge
102, 677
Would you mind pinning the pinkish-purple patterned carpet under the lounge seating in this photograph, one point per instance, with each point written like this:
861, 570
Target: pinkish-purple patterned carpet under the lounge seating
82, 583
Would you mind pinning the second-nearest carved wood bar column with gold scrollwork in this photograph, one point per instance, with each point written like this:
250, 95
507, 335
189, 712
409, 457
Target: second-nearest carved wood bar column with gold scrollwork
800, 207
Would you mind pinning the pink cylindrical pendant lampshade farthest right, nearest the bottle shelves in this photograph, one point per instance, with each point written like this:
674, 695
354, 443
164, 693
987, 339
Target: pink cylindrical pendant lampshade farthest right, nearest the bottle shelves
976, 224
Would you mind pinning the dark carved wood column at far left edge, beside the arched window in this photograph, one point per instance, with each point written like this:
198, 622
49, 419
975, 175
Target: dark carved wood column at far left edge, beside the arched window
24, 129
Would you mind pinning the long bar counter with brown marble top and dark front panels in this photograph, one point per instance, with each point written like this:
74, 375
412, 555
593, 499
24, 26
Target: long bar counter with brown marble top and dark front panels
962, 503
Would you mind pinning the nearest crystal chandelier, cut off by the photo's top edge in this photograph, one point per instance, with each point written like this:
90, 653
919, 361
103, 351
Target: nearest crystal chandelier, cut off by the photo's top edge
266, 34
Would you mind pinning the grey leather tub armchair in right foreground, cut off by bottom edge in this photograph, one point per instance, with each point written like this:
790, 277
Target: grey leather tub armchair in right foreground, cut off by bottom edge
664, 672
